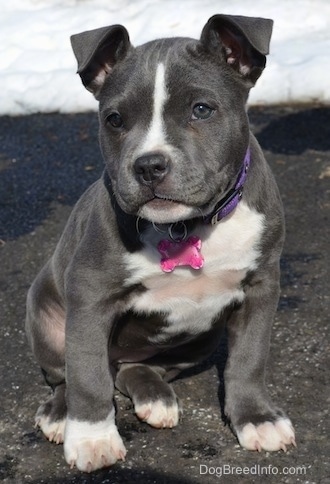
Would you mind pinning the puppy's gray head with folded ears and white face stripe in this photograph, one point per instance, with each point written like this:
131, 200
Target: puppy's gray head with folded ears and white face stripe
173, 125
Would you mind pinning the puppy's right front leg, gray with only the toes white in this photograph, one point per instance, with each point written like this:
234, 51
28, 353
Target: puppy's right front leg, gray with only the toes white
256, 421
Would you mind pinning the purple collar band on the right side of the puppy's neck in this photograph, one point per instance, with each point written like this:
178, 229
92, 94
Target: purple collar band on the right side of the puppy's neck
231, 200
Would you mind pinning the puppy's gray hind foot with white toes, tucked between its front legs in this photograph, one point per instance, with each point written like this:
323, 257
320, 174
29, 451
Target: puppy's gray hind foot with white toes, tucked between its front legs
154, 399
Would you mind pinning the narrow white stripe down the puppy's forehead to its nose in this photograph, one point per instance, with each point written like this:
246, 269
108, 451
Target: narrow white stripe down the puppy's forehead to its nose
156, 134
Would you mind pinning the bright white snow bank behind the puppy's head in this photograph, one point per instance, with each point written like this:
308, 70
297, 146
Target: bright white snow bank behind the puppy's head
37, 66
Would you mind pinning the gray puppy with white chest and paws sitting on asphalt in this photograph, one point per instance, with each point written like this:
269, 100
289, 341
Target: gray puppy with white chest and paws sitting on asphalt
102, 312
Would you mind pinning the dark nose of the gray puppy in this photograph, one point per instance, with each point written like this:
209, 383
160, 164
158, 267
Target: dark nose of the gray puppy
152, 168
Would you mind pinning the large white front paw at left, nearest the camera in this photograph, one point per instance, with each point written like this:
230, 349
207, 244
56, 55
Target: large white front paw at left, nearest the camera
91, 446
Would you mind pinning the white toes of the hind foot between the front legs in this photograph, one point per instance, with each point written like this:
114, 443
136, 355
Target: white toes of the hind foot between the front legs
158, 415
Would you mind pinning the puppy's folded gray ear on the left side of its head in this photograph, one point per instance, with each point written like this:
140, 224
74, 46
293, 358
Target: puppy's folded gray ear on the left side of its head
97, 51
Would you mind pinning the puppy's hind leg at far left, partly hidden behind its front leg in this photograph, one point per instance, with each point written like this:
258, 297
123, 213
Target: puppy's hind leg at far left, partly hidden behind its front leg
45, 326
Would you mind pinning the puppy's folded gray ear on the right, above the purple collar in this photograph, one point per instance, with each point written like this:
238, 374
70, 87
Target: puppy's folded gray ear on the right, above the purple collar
243, 42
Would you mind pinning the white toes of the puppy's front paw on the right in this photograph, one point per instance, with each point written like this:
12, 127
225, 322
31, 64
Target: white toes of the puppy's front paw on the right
268, 435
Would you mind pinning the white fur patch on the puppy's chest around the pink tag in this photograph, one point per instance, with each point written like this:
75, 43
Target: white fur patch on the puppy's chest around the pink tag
191, 299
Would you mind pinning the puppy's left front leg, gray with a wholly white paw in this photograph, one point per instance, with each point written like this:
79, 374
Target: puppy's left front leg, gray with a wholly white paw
91, 438
